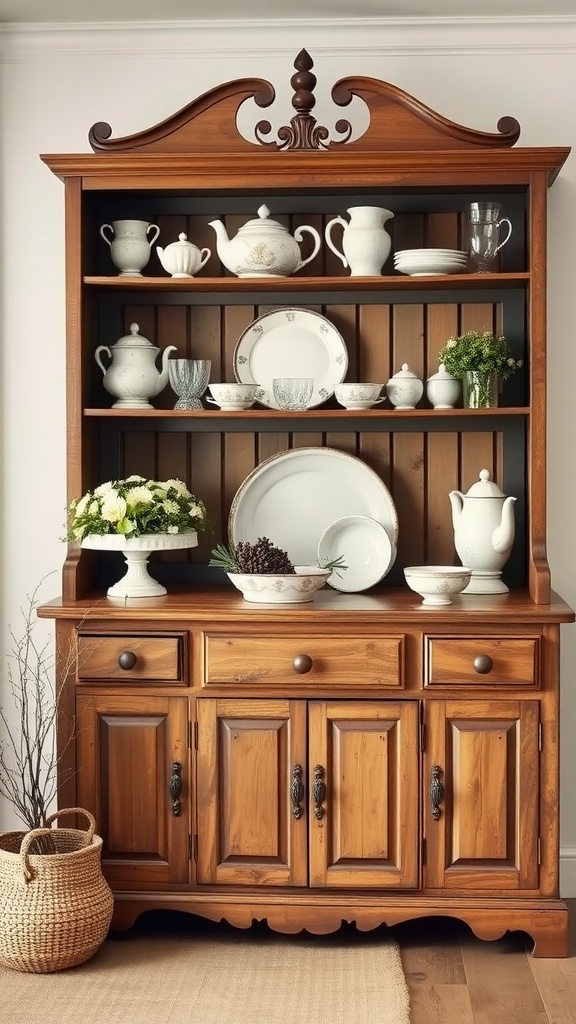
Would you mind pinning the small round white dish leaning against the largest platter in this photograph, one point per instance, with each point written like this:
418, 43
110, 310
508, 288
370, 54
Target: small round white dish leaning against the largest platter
366, 551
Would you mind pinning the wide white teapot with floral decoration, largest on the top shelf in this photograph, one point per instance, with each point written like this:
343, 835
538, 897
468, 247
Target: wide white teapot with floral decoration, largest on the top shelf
264, 248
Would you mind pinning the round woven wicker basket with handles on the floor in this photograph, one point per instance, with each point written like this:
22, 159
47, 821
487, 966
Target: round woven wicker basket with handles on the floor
56, 908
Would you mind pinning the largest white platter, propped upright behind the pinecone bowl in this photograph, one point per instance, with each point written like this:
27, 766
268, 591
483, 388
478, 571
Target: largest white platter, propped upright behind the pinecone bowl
296, 496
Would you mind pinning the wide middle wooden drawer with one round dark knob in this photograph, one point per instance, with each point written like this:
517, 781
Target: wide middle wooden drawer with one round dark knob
266, 661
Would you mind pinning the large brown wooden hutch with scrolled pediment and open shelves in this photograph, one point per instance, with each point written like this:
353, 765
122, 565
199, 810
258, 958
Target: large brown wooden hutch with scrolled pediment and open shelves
435, 732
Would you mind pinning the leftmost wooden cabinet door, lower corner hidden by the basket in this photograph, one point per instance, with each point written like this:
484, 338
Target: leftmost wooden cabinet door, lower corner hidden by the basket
129, 750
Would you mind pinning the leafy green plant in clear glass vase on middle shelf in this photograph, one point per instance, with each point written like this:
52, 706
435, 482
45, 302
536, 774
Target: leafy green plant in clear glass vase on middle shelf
481, 360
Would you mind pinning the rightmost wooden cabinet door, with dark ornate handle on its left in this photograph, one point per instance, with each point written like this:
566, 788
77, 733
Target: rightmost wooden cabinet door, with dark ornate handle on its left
482, 833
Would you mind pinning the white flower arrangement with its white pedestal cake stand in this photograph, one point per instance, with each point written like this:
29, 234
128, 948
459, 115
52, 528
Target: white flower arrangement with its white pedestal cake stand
137, 517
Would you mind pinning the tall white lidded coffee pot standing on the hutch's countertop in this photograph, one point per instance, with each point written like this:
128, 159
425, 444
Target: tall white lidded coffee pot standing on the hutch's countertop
484, 533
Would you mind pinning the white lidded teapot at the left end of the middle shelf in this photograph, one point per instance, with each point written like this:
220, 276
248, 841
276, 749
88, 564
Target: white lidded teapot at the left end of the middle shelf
133, 376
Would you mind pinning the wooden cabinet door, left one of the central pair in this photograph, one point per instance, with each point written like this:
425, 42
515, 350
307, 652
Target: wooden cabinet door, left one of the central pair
248, 831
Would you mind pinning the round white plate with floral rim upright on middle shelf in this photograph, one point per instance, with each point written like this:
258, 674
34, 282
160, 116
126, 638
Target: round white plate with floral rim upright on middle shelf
292, 343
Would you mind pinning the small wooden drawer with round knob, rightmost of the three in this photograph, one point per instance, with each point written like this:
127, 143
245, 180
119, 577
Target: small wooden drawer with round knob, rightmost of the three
482, 661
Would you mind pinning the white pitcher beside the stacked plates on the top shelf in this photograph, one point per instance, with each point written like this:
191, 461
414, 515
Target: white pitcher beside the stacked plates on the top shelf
366, 243
